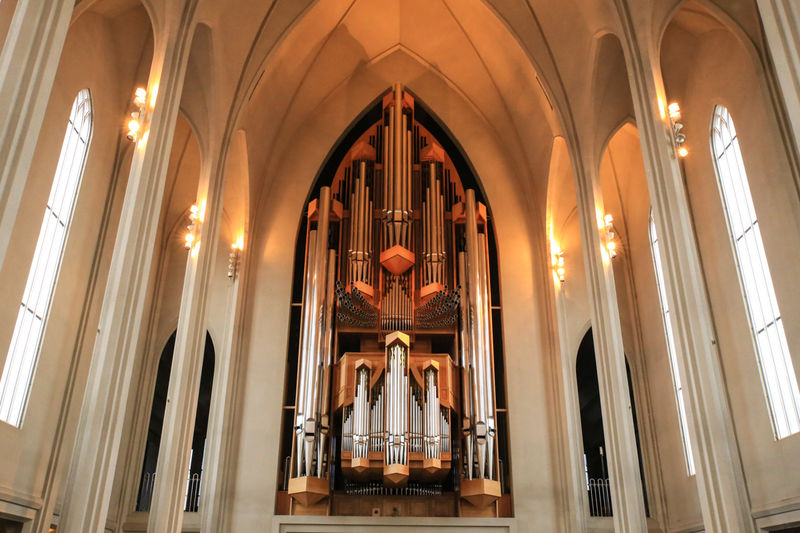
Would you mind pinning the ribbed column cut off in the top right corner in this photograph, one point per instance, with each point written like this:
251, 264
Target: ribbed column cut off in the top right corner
781, 20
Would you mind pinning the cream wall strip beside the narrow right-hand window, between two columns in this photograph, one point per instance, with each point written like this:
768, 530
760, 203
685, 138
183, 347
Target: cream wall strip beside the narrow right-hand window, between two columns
626, 196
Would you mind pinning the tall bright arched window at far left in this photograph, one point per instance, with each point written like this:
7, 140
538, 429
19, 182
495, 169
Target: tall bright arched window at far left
26, 341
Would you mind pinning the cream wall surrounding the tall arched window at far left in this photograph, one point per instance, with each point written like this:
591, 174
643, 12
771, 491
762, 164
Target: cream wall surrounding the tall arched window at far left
94, 59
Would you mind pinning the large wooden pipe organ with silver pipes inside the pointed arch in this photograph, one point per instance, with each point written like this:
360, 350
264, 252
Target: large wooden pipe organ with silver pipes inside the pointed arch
397, 360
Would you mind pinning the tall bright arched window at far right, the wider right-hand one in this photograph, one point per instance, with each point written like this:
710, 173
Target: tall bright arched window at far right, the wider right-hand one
777, 371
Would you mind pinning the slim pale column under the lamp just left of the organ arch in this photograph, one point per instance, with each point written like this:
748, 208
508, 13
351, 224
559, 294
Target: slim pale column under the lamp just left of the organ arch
221, 422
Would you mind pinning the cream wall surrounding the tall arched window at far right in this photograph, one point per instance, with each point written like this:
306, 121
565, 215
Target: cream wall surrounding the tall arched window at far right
718, 70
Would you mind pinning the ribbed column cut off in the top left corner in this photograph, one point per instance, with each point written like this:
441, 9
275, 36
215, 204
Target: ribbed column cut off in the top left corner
28, 65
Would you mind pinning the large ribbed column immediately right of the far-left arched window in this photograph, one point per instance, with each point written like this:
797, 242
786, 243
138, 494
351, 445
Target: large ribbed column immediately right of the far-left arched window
121, 319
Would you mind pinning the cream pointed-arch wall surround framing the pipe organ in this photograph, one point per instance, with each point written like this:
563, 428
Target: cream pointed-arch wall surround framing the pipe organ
278, 215
